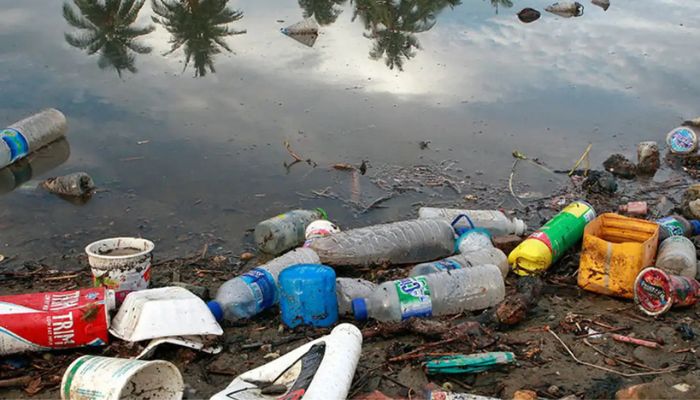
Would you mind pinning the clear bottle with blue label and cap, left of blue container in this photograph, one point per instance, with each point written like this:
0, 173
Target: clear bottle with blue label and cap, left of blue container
256, 290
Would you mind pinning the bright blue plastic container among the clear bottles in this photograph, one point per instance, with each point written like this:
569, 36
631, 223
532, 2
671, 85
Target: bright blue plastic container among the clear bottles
307, 296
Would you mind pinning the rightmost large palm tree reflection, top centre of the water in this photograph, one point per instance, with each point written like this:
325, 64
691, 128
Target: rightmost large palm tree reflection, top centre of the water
392, 26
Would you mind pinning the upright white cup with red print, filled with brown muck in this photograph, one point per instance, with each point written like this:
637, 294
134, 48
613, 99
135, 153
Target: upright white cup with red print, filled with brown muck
122, 264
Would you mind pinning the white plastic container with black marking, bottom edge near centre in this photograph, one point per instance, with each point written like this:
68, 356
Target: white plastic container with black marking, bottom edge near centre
319, 370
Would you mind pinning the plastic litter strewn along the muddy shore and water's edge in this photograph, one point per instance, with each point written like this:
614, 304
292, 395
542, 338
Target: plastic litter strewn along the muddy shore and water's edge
460, 280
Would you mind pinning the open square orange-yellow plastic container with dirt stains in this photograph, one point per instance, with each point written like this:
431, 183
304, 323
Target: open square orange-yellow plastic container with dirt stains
615, 250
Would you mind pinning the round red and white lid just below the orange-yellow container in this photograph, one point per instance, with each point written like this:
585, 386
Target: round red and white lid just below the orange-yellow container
652, 291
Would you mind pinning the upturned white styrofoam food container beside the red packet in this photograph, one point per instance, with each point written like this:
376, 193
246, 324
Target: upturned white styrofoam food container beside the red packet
163, 312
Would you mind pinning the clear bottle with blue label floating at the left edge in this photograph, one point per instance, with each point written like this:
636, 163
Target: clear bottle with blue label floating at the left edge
31, 134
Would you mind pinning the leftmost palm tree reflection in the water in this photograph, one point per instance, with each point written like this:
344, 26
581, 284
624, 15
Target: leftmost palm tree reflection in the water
106, 28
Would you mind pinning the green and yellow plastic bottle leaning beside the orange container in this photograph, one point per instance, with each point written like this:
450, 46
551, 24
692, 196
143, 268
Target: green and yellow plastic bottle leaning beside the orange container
544, 247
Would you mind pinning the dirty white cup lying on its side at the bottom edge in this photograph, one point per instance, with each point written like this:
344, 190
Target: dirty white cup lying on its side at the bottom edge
105, 378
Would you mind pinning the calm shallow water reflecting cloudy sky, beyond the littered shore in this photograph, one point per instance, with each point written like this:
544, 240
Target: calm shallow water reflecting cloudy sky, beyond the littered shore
193, 152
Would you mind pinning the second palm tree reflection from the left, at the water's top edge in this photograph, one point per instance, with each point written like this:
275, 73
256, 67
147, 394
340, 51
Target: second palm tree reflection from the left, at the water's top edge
199, 27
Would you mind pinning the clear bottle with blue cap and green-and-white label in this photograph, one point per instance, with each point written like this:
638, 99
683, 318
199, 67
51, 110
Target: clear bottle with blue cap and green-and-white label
442, 293
